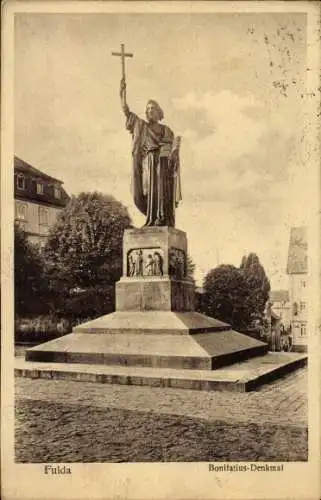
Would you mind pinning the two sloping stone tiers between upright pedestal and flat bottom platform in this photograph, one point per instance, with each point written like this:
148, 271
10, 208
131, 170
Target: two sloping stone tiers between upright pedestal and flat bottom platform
162, 340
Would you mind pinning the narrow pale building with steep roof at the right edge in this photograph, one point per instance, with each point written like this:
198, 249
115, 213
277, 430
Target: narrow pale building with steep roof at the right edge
297, 270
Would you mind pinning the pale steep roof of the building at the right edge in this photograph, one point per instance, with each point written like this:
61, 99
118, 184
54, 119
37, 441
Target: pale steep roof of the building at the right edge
298, 251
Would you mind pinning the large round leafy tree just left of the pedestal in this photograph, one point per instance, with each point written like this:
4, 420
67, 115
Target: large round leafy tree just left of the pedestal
84, 254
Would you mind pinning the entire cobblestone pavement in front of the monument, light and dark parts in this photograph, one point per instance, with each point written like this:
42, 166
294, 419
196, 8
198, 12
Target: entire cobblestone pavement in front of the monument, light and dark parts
67, 421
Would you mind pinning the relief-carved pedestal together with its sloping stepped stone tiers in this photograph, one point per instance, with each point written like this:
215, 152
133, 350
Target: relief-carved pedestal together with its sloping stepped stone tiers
154, 325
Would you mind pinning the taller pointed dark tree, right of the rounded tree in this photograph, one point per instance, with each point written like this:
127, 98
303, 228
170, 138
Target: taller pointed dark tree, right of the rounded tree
257, 284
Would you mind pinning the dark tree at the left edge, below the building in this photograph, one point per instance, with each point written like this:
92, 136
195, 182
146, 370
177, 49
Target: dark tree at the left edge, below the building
30, 285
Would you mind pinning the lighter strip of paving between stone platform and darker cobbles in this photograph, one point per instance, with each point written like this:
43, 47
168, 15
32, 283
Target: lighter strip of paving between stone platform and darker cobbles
283, 402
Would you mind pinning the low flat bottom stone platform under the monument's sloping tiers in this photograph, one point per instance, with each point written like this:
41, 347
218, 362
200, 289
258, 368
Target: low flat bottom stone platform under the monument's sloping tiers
240, 377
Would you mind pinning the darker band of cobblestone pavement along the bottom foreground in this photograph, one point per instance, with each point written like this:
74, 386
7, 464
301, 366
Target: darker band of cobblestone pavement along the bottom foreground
55, 432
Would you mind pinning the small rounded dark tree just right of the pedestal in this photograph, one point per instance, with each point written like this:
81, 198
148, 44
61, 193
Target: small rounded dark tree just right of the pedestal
225, 289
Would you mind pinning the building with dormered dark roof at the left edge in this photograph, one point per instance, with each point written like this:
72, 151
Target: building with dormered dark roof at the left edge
38, 200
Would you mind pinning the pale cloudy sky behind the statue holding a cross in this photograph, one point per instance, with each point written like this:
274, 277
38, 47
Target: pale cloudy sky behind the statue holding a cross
232, 85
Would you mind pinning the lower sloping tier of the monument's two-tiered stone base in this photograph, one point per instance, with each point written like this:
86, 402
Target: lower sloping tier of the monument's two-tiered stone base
204, 351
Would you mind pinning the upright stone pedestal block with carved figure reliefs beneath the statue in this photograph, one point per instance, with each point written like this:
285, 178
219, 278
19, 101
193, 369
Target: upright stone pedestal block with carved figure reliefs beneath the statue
154, 271
